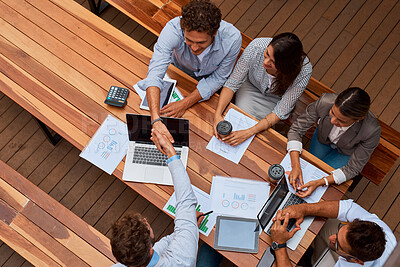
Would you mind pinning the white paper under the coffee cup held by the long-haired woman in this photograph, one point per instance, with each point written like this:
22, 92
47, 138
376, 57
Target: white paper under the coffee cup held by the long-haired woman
239, 121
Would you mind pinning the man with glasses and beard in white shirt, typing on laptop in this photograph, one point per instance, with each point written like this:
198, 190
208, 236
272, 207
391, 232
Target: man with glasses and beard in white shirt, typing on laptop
363, 239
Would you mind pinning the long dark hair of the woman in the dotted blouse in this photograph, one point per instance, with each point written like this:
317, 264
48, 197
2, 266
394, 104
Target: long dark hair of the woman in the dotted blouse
289, 57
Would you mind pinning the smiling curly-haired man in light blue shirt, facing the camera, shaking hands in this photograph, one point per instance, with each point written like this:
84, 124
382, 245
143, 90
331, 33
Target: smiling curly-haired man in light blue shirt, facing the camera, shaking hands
200, 44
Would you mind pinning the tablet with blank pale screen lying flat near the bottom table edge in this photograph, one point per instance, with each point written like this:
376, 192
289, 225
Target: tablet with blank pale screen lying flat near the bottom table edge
236, 234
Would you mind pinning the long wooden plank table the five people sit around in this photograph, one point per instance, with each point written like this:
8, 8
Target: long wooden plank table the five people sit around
58, 61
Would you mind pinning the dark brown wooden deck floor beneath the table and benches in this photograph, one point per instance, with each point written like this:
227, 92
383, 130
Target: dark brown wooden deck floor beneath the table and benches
350, 43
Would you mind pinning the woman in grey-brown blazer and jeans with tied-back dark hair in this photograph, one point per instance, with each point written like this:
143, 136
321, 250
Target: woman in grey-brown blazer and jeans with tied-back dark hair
345, 138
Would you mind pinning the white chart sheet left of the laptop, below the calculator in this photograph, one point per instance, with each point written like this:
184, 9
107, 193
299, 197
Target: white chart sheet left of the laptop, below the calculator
108, 146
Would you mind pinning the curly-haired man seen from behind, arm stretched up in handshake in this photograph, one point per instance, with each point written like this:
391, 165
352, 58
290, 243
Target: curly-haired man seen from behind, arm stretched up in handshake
132, 240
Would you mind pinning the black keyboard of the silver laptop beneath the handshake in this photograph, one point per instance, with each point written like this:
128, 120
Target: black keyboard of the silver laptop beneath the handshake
150, 156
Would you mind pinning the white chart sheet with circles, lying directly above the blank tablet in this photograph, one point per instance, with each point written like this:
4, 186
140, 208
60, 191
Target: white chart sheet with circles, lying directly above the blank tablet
238, 197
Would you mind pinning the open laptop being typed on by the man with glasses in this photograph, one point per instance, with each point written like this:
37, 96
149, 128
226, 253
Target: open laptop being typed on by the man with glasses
280, 198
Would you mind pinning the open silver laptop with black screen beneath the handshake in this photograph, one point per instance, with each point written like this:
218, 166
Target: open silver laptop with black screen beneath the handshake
144, 163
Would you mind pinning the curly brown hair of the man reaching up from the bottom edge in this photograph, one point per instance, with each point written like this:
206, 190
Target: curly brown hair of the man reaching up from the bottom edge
130, 240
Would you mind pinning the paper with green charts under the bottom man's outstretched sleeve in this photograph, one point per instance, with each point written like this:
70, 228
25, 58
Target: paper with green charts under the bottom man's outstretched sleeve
203, 205
